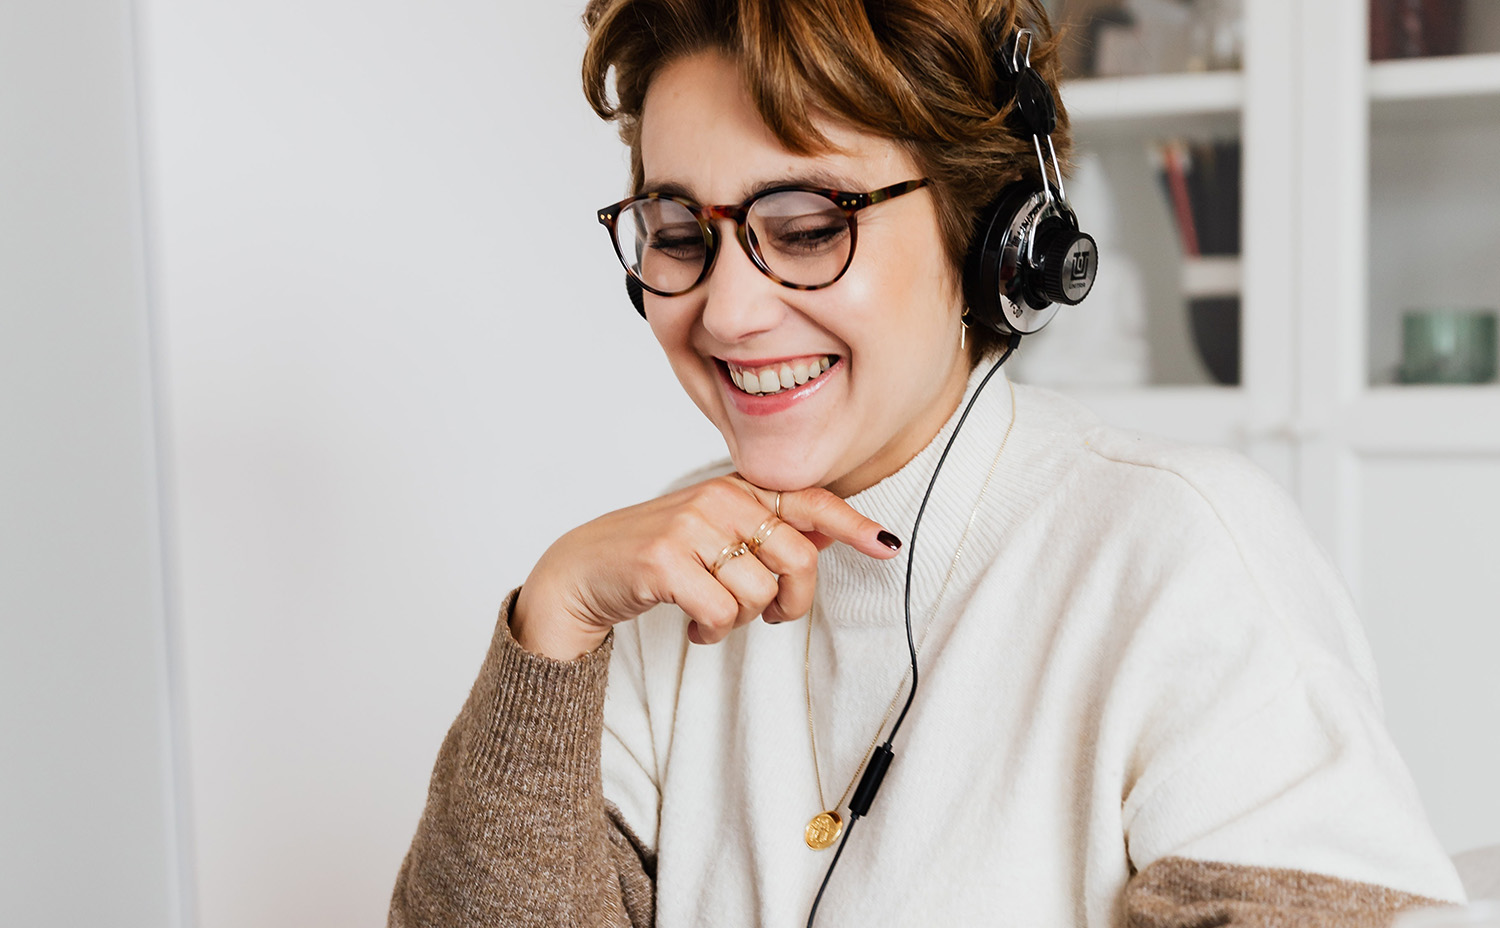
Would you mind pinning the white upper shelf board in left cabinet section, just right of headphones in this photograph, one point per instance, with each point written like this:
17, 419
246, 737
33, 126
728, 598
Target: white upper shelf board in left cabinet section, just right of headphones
1157, 106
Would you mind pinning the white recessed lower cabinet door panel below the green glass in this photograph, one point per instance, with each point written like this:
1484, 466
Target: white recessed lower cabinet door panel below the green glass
1432, 611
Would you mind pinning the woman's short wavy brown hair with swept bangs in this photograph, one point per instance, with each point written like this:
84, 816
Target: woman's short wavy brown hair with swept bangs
914, 71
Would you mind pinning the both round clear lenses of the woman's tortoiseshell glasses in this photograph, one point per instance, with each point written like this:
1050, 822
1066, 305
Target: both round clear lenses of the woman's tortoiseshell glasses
796, 236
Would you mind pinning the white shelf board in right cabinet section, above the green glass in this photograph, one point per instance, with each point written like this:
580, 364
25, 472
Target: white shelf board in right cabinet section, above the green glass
1436, 91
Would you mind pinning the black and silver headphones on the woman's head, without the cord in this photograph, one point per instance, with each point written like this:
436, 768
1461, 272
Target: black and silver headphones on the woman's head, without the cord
1028, 256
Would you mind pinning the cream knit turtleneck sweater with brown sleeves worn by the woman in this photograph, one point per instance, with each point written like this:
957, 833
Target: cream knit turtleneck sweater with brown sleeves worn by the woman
1141, 660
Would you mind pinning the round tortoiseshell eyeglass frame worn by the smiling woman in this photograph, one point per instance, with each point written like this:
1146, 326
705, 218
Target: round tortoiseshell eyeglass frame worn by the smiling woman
848, 203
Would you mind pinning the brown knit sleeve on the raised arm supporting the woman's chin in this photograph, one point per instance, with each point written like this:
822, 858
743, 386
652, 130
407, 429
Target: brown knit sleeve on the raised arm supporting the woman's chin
517, 830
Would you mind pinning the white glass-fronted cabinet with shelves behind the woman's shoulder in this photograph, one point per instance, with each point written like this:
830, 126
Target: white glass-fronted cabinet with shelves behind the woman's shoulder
1367, 188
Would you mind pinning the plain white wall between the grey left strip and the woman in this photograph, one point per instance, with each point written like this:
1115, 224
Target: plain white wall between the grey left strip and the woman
401, 364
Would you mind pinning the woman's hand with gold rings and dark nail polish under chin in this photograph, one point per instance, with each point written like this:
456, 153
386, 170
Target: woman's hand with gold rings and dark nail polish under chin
619, 566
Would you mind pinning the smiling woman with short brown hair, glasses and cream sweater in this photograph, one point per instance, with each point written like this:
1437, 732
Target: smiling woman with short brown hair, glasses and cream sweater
1142, 692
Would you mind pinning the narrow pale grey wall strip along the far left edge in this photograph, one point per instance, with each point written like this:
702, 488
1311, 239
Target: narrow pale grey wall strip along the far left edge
88, 821
